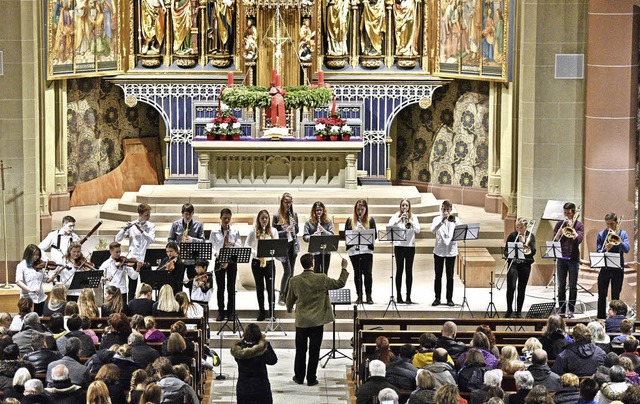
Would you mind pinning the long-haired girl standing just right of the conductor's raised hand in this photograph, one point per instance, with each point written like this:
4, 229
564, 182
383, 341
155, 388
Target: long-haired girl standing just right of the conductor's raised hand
361, 256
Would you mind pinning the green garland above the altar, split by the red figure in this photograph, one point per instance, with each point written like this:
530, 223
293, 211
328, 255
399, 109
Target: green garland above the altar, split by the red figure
295, 98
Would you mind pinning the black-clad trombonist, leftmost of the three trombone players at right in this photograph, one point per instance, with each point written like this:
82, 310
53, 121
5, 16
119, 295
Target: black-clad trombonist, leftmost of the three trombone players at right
519, 270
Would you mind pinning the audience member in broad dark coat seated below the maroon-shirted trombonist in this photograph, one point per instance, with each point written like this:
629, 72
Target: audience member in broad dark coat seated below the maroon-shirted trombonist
582, 357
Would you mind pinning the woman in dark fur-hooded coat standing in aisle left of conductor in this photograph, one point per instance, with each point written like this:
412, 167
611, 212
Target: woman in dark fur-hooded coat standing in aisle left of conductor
253, 353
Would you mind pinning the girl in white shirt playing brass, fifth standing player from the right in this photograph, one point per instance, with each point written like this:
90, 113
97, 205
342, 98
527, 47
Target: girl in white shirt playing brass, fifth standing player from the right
405, 250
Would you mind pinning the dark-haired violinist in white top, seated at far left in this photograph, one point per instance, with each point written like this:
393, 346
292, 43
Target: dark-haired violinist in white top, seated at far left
30, 276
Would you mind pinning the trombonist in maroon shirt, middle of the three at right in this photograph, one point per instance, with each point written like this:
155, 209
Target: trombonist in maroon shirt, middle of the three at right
569, 263
